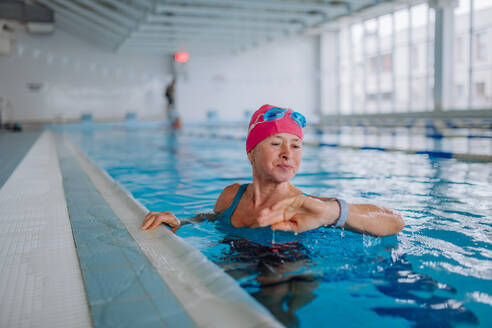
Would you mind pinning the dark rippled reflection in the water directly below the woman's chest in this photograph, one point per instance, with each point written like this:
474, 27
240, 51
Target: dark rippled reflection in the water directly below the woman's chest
276, 275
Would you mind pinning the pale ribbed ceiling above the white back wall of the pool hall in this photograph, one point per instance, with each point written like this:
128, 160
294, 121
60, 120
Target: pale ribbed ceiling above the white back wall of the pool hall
206, 26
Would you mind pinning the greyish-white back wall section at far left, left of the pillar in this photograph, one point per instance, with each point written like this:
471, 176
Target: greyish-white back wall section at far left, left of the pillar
78, 78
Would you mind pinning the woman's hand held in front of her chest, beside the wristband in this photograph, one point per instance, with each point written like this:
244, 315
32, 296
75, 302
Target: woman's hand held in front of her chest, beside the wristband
299, 214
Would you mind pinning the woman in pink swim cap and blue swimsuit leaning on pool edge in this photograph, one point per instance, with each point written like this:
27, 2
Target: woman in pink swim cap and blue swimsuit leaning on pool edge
274, 148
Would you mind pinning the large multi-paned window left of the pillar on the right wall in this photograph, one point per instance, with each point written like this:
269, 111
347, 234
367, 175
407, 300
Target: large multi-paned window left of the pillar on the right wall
389, 62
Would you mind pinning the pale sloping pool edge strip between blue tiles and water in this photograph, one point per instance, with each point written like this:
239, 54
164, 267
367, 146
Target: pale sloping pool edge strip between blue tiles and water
208, 295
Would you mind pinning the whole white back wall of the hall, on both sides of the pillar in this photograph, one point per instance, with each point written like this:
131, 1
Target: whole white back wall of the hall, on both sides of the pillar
78, 78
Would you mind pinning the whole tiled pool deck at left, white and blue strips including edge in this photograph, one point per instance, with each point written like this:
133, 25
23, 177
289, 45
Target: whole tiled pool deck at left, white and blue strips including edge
72, 254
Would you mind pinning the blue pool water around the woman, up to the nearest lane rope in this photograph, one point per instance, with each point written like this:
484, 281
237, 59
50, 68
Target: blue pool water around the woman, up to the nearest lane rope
437, 272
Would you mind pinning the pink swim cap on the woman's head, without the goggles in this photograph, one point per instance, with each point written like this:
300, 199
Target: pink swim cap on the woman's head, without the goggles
260, 129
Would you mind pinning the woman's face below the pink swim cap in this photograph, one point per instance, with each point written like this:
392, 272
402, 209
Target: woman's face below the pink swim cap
278, 157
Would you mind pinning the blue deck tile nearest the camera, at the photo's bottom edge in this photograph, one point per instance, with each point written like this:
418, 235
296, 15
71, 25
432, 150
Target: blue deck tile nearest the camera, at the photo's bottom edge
137, 313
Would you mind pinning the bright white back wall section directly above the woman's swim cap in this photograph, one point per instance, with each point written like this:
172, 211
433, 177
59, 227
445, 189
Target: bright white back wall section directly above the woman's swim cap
282, 73
